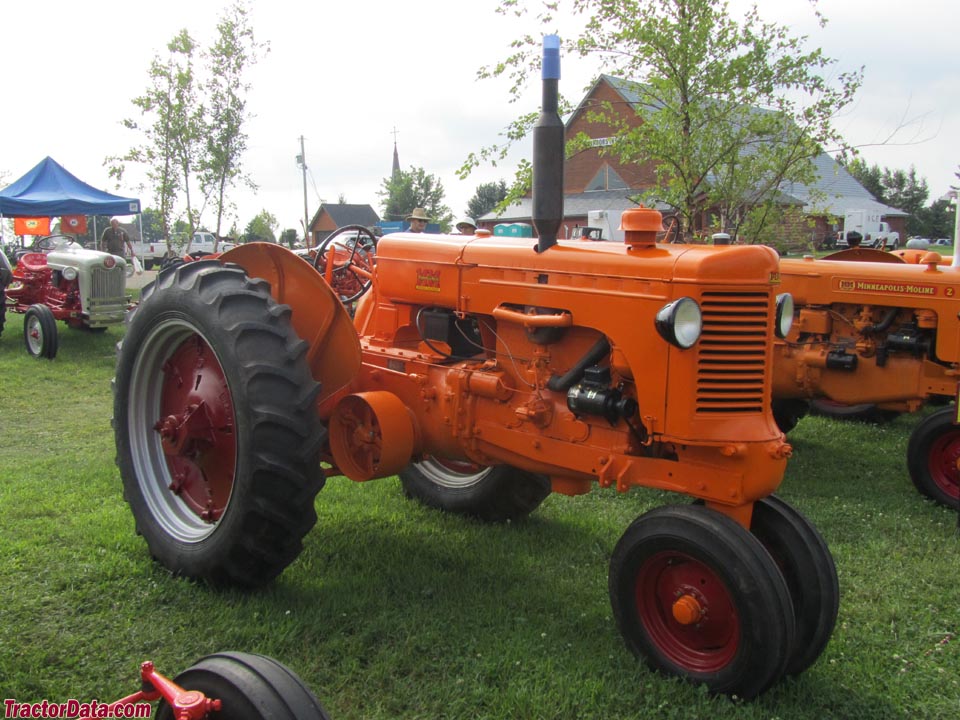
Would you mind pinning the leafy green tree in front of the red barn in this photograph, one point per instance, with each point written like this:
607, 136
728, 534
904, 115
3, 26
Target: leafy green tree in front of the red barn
730, 110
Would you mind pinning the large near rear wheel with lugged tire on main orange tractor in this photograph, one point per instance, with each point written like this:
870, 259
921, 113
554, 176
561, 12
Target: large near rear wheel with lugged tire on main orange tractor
218, 440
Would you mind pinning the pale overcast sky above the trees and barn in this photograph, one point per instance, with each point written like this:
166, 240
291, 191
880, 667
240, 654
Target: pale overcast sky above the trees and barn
344, 74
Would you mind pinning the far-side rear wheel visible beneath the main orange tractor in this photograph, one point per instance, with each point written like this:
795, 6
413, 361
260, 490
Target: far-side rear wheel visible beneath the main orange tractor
495, 494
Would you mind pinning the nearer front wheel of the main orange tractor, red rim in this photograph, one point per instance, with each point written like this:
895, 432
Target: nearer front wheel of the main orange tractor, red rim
696, 595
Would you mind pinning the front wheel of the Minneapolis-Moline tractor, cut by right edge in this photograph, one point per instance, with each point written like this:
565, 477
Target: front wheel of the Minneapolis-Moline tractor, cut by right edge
933, 454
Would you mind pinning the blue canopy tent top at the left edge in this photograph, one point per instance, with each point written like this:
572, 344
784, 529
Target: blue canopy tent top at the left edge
48, 190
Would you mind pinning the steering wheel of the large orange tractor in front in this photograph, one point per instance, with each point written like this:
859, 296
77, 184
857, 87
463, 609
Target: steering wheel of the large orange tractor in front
345, 258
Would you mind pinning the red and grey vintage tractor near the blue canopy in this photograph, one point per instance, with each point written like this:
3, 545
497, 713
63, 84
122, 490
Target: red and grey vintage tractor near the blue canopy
58, 279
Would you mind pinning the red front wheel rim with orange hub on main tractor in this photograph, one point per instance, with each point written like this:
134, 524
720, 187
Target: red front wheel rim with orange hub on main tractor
707, 640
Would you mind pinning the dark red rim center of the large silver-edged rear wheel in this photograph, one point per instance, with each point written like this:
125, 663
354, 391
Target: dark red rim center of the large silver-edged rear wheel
196, 426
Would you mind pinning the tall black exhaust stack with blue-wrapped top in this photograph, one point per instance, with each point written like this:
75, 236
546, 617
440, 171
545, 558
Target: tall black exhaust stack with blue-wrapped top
548, 152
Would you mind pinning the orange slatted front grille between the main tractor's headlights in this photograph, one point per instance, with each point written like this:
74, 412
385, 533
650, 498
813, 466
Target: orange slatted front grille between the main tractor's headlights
732, 354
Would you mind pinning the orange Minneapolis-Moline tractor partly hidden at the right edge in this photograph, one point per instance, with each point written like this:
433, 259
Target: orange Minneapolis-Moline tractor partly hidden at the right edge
880, 329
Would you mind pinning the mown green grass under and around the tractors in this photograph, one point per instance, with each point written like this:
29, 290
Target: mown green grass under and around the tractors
393, 611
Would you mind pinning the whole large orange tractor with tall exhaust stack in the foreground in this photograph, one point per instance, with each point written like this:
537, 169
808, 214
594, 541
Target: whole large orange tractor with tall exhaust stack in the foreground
488, 372
